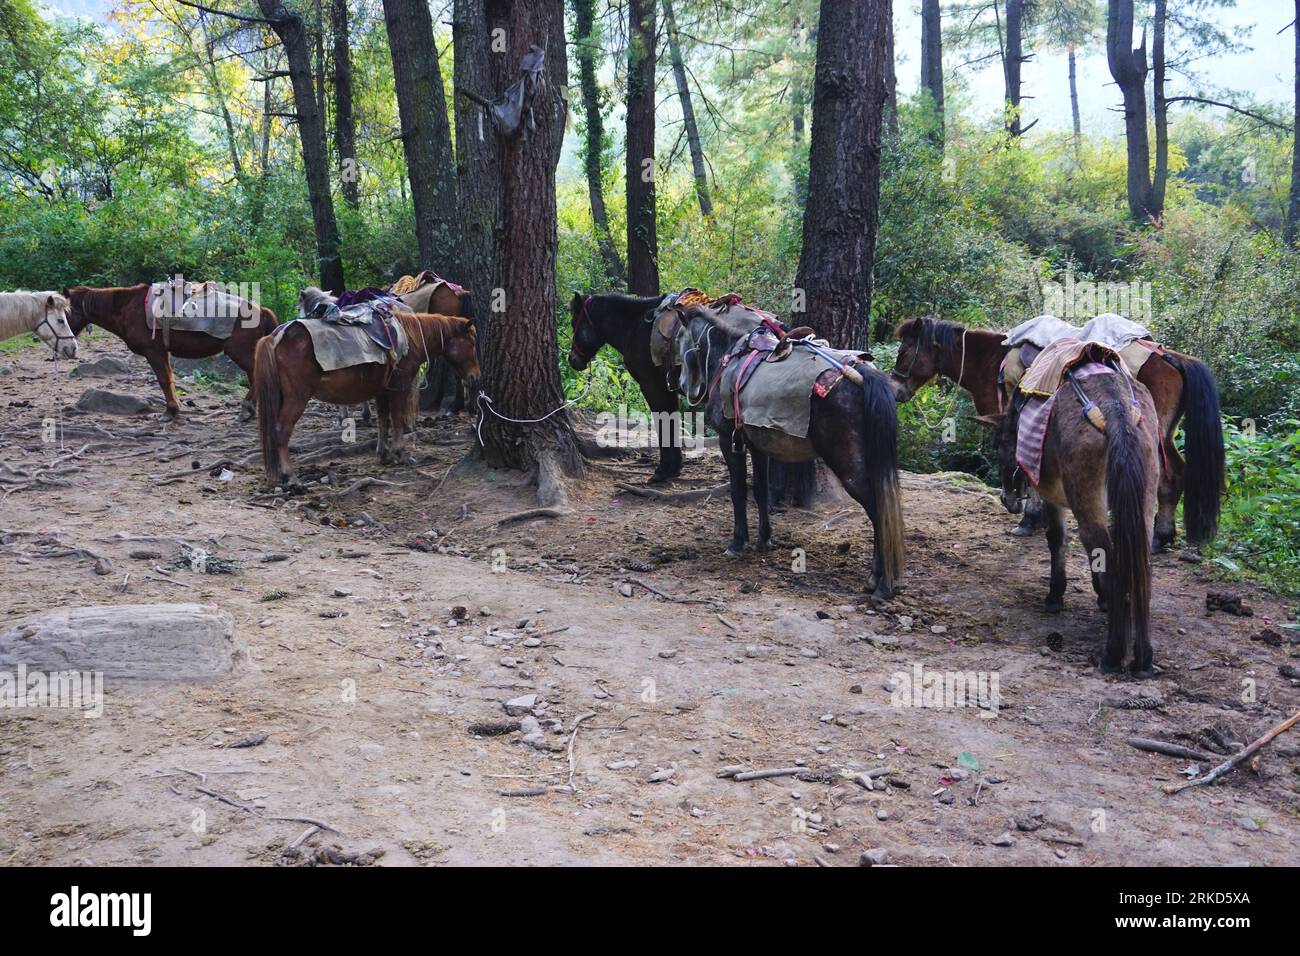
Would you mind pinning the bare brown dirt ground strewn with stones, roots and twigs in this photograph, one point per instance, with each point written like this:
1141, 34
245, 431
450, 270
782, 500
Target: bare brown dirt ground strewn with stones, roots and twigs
367, 686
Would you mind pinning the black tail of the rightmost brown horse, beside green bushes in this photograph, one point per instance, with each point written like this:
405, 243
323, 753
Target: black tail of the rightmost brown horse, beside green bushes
1203, 430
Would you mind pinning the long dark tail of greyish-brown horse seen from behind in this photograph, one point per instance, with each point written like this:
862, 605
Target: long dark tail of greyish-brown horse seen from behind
1129, 574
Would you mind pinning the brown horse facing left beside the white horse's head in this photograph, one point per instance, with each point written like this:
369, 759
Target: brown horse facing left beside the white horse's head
123, 312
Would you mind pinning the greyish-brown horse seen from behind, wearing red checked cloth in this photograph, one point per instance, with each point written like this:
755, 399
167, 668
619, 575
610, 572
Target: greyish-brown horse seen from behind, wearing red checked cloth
1091, 473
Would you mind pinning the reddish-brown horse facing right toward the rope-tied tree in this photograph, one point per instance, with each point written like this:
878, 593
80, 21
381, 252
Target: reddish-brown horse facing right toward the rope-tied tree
287, 377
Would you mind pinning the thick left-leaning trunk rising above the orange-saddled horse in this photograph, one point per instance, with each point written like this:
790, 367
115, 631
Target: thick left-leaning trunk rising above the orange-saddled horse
426, 133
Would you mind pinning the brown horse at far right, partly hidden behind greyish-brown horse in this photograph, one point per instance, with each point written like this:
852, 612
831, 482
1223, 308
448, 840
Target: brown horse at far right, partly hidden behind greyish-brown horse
1180, 386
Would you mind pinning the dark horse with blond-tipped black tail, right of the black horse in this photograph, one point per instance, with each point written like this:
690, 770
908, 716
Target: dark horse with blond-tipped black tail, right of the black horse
853, 430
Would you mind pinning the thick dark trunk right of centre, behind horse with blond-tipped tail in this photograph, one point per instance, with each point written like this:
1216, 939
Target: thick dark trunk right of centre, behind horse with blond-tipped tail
844, 171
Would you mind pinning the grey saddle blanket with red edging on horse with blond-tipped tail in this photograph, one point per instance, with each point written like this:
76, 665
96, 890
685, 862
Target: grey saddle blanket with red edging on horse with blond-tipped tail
779, 393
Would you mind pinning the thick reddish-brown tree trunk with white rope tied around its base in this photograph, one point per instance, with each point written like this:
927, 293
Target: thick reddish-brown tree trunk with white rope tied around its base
521, 371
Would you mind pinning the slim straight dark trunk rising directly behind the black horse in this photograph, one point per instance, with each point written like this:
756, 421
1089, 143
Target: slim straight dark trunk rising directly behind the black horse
643, 239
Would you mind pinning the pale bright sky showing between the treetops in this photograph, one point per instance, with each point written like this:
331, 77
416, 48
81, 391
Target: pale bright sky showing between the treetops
1266, 73
